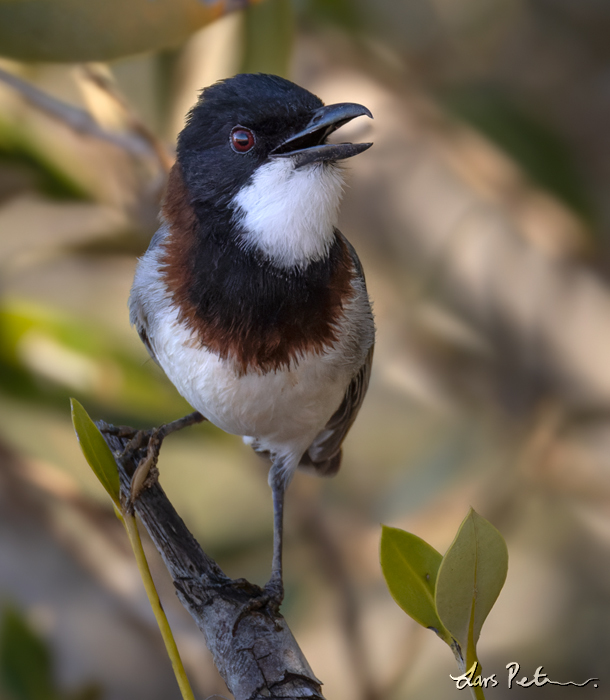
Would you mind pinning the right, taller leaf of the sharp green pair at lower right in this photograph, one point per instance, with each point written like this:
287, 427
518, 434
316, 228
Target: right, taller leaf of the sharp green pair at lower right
470, 578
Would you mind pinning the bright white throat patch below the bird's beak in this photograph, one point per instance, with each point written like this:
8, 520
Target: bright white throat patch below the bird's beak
289, 215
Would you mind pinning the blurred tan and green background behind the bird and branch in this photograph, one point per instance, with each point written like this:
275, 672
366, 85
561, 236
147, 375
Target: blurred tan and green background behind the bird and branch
482, 217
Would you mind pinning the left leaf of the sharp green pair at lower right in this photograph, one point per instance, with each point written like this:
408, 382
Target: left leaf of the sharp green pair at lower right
410, 568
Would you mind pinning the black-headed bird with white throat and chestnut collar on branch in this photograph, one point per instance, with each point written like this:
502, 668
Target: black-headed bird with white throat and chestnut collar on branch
249, 297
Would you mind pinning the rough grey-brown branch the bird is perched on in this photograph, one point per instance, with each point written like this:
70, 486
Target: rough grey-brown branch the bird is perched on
254, 651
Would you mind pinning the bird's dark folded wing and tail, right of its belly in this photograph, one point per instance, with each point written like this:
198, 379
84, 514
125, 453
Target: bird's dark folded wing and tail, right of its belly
324, 453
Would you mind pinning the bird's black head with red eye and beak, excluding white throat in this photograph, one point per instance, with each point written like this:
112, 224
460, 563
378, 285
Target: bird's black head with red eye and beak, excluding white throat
240, 123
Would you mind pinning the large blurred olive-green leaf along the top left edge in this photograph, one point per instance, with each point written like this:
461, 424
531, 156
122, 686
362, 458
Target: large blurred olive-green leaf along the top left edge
99, 30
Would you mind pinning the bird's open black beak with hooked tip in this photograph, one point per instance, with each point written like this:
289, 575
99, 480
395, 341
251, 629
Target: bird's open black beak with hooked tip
308, 145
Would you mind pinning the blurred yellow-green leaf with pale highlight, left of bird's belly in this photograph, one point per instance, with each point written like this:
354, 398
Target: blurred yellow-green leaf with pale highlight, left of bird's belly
47, 356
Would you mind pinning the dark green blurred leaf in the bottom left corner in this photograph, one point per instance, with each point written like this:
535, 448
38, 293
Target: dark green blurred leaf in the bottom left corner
25, 661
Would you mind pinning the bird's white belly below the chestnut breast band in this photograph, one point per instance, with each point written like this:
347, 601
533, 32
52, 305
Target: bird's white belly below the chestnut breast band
283, 410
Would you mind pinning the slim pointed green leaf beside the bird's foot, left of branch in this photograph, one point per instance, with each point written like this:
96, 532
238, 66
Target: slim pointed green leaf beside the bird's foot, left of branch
96, 451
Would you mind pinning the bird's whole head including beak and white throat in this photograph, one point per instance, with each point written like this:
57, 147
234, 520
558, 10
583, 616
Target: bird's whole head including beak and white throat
254, 147
